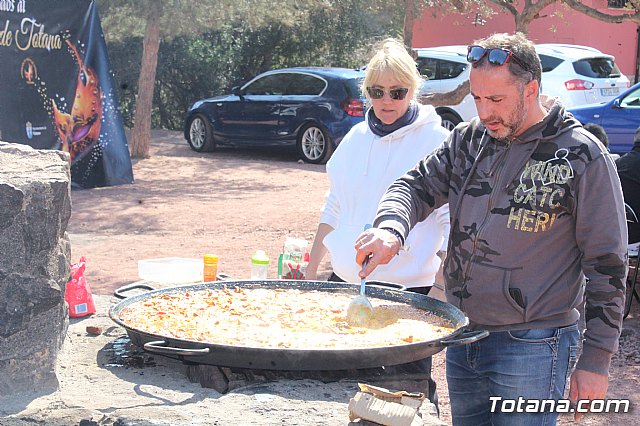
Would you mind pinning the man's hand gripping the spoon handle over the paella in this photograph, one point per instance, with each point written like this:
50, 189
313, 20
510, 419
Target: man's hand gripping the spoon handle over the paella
377, 244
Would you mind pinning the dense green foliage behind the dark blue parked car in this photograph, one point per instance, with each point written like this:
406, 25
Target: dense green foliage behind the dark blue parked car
199, 65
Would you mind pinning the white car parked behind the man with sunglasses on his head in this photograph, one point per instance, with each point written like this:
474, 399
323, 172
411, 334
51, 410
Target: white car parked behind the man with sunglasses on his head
578, 75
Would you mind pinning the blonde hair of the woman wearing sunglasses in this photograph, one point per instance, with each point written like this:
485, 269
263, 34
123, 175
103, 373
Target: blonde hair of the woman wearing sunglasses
392, 58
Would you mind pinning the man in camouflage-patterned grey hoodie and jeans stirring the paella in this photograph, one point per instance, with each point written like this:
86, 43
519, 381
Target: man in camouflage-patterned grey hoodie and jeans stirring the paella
536, 207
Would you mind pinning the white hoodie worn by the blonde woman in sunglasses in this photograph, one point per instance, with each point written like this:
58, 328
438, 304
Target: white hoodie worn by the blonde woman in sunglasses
360, 171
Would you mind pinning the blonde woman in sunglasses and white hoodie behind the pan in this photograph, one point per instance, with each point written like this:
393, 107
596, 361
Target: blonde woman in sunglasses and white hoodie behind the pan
396, 134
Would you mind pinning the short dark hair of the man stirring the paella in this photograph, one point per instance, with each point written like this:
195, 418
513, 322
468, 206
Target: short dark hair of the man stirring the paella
522, 48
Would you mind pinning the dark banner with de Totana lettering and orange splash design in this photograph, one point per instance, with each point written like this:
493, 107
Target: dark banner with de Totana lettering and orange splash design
57, 89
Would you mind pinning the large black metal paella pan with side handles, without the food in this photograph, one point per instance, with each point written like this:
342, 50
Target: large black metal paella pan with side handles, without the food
298, 359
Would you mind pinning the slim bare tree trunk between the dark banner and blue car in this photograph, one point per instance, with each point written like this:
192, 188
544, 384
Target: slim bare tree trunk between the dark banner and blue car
141, 134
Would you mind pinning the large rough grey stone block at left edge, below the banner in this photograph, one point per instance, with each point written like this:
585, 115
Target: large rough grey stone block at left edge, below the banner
35, 206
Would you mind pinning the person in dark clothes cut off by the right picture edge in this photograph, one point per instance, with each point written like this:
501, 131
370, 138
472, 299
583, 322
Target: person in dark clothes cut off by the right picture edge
629, 172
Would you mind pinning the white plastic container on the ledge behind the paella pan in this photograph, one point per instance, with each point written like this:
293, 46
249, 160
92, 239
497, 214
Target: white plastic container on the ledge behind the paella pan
169, 270
